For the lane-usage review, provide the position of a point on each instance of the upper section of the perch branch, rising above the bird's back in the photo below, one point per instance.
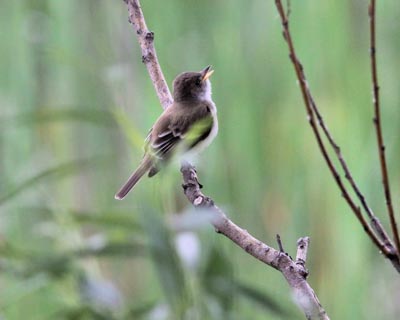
(149, 56)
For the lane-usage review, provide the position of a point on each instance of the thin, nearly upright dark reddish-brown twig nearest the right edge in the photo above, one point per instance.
(378, 128)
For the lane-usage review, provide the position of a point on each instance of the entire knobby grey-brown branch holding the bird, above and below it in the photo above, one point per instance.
(294, 272)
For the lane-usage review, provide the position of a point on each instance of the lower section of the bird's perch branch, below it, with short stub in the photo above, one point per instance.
(294, 272)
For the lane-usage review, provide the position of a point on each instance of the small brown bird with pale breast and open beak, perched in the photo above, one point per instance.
(188, 125)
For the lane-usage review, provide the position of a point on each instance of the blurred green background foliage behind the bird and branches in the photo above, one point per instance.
(76, 103)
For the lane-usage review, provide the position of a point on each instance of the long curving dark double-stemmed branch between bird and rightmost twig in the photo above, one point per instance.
(312, 111)
